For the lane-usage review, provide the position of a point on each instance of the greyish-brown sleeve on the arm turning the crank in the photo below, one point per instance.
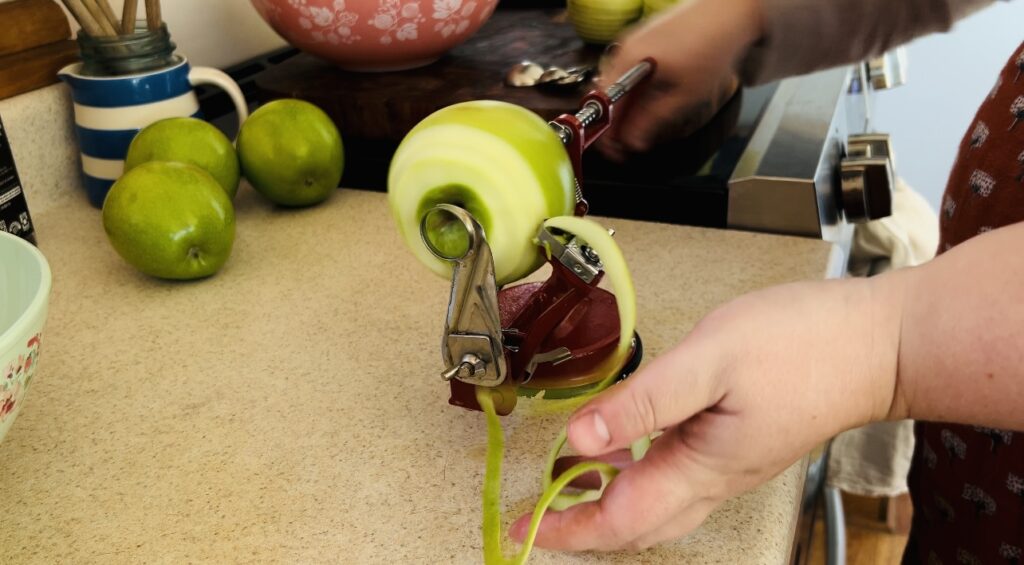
(801, 36)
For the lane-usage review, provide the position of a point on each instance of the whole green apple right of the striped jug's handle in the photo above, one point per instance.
(291, 153)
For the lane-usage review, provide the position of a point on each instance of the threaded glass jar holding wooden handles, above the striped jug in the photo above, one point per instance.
(142, 52)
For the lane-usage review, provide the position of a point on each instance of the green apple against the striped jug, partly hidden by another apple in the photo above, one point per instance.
(188, 141)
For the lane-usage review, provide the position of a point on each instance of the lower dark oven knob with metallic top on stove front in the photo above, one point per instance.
(867, 176)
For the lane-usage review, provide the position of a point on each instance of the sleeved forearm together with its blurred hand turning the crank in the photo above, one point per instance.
(703, 48)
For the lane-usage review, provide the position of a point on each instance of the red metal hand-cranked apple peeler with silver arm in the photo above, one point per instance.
(535, 337)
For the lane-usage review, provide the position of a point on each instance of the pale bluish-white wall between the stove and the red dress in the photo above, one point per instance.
(950, 76)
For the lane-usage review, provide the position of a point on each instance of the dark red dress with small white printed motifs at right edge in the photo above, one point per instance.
(968, 483)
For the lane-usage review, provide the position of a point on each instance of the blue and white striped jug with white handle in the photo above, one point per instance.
(110, 111)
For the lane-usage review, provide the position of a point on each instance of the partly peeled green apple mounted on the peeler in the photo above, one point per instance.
(500, 162)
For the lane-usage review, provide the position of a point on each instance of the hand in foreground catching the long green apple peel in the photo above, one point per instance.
(757, 385)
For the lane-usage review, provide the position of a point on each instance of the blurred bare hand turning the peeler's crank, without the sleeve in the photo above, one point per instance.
(698, 47)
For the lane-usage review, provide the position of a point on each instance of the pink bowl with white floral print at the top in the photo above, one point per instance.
(376, 35)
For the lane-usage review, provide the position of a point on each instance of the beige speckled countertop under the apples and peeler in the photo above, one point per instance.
(288, 410)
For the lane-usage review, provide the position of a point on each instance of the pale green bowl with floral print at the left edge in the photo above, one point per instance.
(25, 294)
